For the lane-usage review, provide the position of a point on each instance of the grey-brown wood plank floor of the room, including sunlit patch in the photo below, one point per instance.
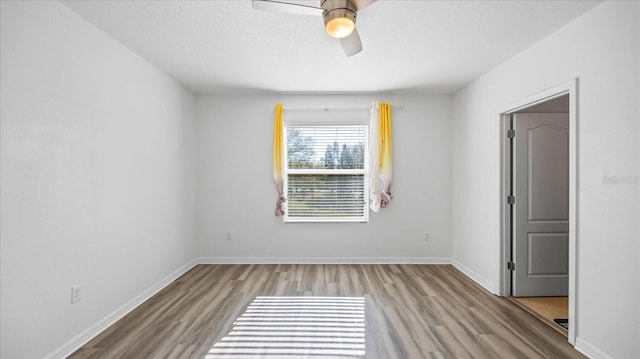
(410, 311)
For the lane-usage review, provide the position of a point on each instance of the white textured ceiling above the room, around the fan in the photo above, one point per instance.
(226, 46)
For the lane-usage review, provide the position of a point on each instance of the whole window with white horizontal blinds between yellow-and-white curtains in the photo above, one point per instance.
(326, 173)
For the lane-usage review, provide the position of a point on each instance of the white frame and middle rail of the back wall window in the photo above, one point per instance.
(364, 171)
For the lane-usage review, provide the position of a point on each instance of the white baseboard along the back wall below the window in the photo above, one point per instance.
(323, 260)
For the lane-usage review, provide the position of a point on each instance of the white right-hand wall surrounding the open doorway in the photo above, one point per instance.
(601, 49)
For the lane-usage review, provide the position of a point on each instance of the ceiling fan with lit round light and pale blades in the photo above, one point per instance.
(339, 17)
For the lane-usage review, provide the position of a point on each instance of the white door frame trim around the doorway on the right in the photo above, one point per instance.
(569, 87)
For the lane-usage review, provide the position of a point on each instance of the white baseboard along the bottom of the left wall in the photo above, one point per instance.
(91, 332)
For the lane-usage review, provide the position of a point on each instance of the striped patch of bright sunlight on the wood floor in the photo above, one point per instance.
(277, 327)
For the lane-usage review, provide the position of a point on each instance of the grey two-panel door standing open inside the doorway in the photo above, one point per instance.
(541, 209)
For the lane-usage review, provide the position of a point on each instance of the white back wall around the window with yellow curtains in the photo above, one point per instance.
(237, 194)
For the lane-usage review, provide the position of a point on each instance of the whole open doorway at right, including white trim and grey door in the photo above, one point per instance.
(538, 161)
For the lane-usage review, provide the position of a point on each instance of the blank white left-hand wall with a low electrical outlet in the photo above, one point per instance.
(98, 176)
